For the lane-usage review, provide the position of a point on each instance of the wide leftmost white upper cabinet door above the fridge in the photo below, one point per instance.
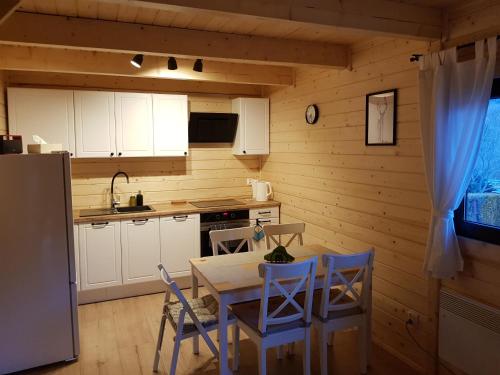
(46, 113)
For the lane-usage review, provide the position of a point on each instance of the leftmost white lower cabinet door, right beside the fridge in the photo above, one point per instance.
(100, 252)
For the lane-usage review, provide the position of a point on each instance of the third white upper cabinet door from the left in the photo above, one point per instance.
(134, 124)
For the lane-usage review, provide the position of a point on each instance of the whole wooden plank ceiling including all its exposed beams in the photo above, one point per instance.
(280, 33)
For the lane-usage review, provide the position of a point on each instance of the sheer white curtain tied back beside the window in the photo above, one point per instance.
(453, 103)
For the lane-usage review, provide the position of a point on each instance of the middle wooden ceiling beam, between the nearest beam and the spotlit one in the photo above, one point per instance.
(111, 36)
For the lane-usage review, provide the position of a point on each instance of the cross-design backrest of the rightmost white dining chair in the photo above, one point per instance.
(346, 270)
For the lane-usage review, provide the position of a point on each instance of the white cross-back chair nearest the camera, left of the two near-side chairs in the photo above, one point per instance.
(276, 321)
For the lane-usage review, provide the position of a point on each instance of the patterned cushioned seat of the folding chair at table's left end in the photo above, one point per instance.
(205, 308)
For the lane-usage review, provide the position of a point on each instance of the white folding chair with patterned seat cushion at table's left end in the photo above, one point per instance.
(189, 318)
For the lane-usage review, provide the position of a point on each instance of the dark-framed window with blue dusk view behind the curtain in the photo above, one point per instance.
(479, 214)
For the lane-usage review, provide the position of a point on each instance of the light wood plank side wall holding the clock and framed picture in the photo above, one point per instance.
(351, 196)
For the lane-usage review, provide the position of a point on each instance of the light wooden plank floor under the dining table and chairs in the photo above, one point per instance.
(119, 337)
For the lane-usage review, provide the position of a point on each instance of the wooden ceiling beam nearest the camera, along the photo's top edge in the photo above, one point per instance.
(382, 16)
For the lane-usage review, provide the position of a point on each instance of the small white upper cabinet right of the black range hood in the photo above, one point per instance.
(252, 135)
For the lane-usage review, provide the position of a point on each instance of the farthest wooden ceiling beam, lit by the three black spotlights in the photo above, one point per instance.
(42, 59)
